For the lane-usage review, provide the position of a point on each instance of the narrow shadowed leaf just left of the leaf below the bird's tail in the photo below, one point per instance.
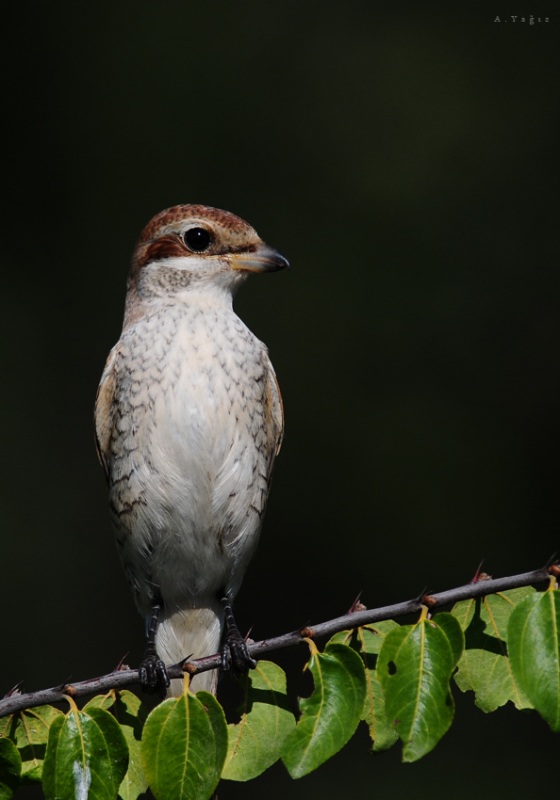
(131, 714)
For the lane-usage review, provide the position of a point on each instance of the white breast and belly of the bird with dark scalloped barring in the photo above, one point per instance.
(190, 452)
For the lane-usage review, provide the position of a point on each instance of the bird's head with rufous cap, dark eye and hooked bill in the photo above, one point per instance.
(196, 247)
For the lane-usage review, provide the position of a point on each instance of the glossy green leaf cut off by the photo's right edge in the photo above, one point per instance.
(534, 649)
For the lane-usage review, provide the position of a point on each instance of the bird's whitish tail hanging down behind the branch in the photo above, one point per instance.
(191, 633)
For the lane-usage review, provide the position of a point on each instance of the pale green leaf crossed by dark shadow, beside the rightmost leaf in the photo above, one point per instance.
(485, 667)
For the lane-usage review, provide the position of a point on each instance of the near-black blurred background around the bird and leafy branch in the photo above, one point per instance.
(405, 160)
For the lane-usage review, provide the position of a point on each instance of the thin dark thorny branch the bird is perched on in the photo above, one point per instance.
(479, 587)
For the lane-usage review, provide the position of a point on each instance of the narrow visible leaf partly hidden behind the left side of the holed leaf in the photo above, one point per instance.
(367, 642)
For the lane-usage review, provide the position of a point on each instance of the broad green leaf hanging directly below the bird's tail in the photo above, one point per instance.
(184, 746)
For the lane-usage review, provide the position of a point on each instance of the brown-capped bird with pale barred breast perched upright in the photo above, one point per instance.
(188, 422)
